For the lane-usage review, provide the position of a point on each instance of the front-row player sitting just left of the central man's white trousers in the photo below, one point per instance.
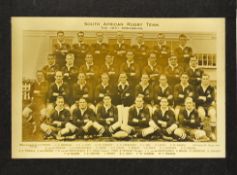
(107, 115)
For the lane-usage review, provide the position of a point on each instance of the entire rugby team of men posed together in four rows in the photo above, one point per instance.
(100, 90)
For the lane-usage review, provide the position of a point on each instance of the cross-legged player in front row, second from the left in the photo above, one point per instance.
(84, 121)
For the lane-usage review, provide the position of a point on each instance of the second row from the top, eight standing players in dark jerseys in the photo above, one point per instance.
(93, 71)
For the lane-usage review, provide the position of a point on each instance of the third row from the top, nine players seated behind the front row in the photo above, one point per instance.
(123, 93)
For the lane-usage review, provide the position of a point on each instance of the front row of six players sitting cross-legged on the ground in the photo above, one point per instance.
(133, 122)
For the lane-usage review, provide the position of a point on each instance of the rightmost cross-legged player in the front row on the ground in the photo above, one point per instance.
(190, 123)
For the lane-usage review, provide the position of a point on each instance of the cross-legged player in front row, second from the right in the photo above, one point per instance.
(163, 122)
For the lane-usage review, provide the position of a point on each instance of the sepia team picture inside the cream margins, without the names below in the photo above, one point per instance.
(118, 85)
